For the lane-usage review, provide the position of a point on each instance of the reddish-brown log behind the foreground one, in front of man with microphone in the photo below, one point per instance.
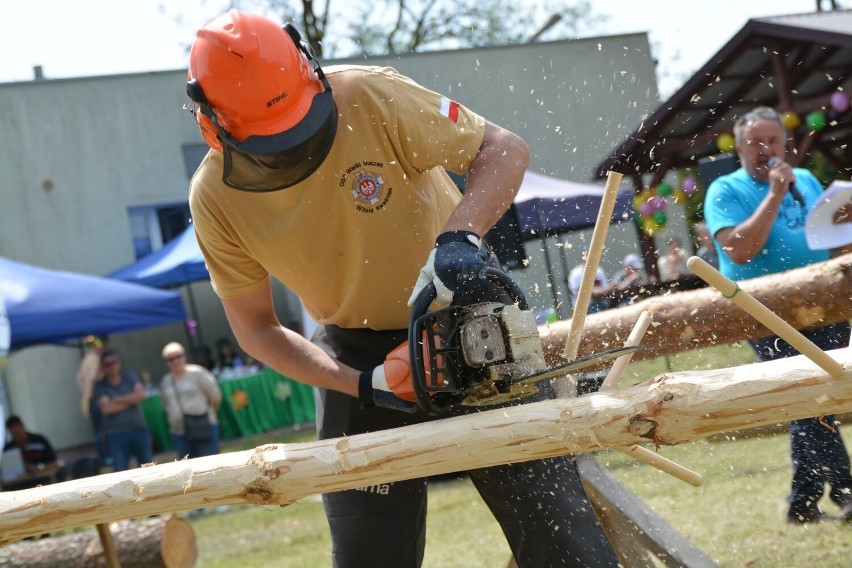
(805, 297)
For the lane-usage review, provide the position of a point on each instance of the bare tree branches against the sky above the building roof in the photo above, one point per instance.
(377, 27)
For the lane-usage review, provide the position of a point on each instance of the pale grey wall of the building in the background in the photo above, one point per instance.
(77, 154)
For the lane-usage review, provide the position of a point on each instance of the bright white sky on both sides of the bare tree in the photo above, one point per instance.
(106, 37)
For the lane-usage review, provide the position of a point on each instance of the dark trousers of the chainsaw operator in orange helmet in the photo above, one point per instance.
(540, 505)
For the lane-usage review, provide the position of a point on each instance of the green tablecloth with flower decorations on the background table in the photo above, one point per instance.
(250, 405)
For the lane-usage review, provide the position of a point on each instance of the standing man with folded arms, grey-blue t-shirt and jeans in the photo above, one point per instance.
(118, 396)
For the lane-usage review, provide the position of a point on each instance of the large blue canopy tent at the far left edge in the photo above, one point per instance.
(51, 306)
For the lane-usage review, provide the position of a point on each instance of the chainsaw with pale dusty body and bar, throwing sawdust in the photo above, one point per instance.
(484, 354)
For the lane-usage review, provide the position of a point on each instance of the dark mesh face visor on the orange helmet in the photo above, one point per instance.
(279, 161)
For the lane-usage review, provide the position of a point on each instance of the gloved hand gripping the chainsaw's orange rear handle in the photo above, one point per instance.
(389, 385)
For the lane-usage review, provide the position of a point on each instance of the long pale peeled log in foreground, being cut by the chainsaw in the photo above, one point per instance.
(672, 408)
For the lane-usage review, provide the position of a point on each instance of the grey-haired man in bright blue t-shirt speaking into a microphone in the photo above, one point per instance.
(757, 218)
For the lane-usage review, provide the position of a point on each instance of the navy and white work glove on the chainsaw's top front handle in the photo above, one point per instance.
(455, 263)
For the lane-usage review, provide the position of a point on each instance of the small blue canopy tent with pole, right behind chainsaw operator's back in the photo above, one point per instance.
(179, 262)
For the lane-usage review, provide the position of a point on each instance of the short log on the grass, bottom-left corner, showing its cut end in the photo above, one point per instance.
(157, 542)
